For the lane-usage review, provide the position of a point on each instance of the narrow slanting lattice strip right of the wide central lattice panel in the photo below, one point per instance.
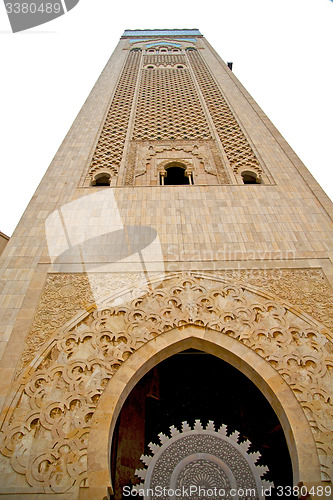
(235, 144)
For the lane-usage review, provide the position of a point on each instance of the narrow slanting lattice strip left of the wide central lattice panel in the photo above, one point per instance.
(110, 146)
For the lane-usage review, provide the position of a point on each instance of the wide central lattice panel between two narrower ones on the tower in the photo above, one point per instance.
(169, 107)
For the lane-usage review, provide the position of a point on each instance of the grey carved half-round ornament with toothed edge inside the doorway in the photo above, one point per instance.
(201, 461)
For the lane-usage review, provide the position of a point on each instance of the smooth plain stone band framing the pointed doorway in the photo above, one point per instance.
(298, 434)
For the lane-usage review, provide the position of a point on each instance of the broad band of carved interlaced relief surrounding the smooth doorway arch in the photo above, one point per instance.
(47, 427)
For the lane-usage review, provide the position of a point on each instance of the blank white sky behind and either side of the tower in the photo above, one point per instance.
(281, 50)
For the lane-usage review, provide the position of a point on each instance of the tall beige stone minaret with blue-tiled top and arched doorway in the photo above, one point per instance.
(167, 295)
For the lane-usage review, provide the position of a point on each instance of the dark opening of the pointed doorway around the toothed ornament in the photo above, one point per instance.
(190, 386)
